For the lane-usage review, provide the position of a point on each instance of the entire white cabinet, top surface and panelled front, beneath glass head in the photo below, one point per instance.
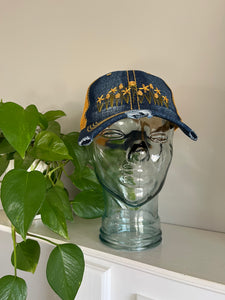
(171, 271)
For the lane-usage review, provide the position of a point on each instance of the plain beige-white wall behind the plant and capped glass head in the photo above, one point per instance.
(50, 51)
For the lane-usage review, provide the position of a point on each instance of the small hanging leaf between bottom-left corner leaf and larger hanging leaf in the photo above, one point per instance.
(27, 255)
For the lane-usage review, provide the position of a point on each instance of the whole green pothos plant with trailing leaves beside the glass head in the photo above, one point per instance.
(40, 153)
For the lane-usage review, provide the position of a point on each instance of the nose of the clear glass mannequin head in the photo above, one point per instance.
(138, 152)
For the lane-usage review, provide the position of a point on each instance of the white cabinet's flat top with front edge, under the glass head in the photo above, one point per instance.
(187, 255)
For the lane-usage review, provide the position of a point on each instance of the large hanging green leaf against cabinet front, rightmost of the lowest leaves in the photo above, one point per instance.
(65, 270)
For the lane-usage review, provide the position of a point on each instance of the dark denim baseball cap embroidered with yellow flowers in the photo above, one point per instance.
(127, 94)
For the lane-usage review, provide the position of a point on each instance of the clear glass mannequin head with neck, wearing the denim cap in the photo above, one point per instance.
(131, 159)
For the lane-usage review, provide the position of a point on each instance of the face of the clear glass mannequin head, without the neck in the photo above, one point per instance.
(132, 157)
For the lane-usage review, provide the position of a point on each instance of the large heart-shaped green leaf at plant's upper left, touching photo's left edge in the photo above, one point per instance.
(18, 125)
